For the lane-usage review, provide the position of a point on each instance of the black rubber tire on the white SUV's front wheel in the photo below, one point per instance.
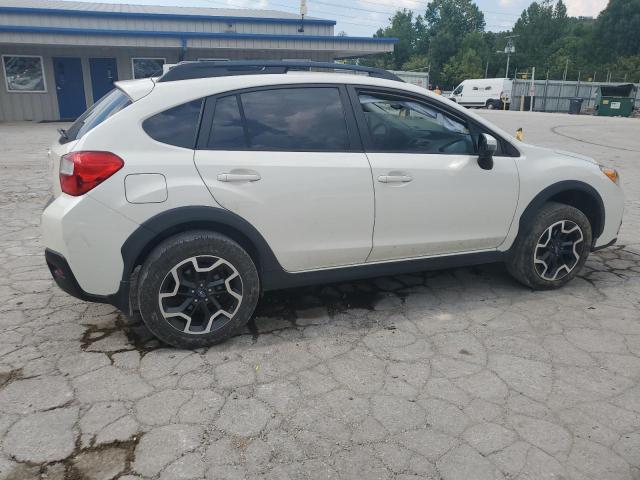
(525, 261)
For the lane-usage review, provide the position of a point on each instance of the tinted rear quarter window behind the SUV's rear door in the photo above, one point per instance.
(177, 126)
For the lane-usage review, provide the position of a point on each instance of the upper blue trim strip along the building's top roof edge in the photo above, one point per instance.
(157, 16)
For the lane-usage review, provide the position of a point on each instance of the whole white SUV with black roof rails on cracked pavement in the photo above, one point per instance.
(186, 196)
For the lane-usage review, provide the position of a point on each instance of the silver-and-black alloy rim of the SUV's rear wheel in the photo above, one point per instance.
(200, 294)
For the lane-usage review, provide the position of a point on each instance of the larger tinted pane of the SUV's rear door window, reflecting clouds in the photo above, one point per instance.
(302, 119)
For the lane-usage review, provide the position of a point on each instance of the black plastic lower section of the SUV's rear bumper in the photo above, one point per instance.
(66, 280)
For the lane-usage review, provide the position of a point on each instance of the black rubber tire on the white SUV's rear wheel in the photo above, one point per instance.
(178, 252)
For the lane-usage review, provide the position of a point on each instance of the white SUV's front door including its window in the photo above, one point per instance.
(431, 196)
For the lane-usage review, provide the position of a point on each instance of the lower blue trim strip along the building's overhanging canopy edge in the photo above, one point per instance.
(184, 35)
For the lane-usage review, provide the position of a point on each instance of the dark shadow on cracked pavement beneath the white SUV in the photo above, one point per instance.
(279, 310)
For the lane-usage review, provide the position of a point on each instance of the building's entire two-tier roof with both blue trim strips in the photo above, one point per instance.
(61, 22)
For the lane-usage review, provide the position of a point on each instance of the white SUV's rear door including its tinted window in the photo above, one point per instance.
(289, 161)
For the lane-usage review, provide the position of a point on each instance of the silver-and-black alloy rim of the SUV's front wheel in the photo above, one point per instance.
(556, 253)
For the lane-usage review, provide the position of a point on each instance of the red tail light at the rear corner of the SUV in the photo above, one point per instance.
(83, 171)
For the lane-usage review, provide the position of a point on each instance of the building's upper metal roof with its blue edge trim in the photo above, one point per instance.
(86, 8)
